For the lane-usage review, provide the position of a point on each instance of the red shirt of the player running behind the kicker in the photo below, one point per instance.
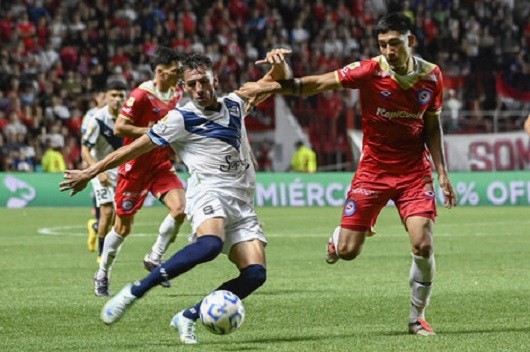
(144, 107)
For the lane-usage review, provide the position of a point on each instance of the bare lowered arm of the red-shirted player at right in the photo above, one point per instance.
(433, 140)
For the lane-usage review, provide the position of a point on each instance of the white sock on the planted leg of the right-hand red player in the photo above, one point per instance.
(421, 277)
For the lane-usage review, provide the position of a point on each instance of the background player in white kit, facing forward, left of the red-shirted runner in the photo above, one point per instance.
(97, 142)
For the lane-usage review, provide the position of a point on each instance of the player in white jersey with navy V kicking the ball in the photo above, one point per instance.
(208, 135)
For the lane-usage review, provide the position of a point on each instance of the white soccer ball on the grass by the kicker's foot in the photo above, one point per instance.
(222, 312)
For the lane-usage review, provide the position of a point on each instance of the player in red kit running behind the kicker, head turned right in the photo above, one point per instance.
(151, 172)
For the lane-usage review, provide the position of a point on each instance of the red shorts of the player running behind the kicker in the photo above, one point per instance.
(132, 190)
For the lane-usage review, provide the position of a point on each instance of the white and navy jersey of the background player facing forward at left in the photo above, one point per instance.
(99, 135)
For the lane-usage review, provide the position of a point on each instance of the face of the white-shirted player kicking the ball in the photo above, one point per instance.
(200, 84)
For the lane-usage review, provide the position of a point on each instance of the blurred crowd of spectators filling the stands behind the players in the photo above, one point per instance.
(55, 54)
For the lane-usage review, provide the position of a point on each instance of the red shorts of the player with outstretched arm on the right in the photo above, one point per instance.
(412, 194)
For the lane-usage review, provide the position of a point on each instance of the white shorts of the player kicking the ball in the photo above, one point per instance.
(241, 219)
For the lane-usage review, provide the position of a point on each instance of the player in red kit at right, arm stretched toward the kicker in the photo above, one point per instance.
(401, 99)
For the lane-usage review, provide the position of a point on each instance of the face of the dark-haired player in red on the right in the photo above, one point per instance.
(396, 48)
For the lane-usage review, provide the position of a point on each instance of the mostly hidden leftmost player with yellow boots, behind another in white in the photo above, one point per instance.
(92, 224)
